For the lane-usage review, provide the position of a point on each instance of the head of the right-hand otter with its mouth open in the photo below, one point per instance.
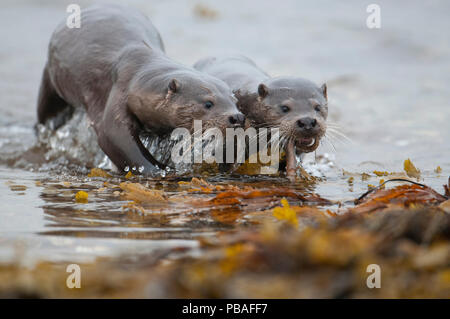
(296, 106)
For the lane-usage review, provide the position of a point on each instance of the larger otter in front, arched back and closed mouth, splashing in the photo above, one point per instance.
(115, 67)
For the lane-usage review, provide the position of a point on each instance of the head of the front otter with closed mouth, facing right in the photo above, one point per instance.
(165, 104)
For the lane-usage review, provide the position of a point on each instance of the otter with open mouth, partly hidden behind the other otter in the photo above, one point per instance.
(295, 105)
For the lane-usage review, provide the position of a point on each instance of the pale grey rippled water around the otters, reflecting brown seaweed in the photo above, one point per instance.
(388, 91)
